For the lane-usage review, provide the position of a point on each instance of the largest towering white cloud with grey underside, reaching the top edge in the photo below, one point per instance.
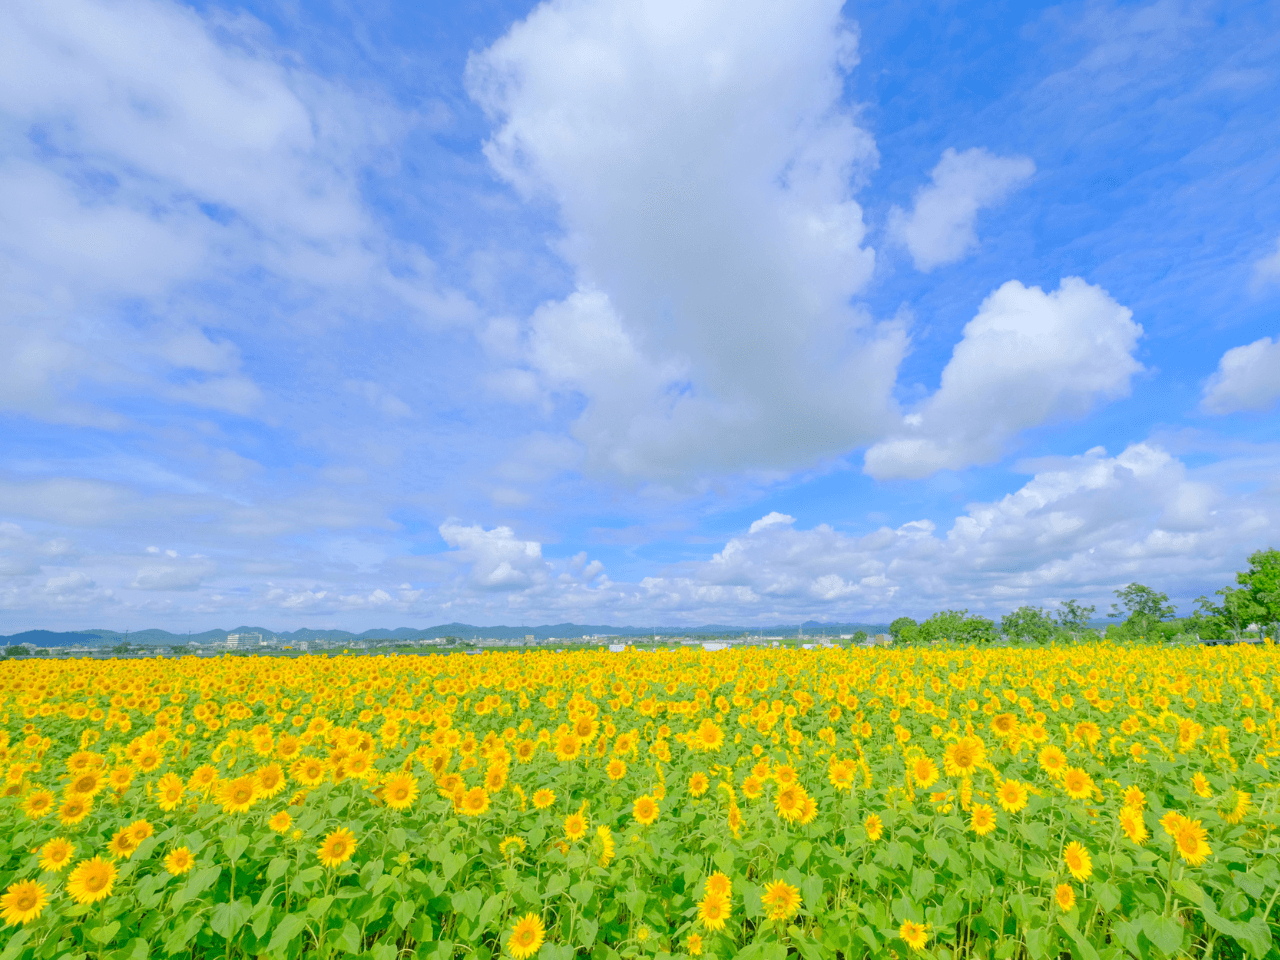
(705, 171)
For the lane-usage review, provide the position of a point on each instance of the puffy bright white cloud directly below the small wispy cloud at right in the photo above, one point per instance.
(1027, 359)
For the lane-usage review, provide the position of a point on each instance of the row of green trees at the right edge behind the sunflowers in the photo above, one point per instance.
(1140, 614)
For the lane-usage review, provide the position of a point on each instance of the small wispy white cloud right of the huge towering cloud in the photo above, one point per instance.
(941, 227)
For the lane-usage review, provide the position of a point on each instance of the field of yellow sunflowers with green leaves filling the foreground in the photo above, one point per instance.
(945, 802)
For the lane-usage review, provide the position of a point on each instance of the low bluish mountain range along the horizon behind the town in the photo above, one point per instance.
(464, 632)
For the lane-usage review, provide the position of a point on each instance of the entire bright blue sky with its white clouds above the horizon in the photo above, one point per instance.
(632, 313)
